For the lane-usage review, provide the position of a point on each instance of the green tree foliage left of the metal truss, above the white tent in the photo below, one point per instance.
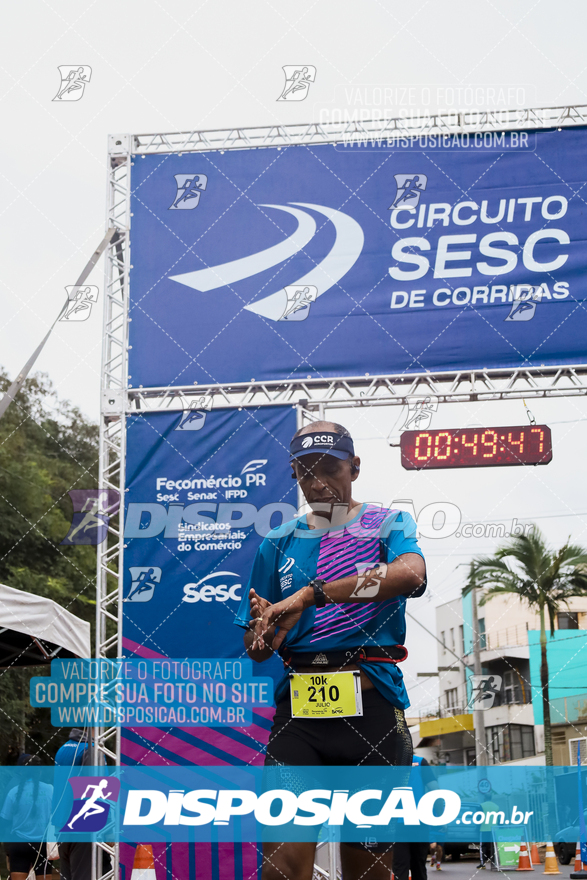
(47, 447)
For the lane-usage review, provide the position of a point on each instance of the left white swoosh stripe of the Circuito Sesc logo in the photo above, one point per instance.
(236, 270)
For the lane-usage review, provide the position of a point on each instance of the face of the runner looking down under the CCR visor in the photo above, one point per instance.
(324, 478)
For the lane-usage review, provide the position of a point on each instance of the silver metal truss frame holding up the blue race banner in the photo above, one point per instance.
(311, 397)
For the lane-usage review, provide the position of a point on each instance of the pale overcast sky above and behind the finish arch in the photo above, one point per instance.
(183, 65)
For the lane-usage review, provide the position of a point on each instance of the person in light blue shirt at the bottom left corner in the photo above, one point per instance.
(28, 808)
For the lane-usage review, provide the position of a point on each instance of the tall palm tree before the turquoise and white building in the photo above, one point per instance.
(545, 578)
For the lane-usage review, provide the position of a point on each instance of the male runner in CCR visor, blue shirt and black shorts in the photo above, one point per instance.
(328, 591)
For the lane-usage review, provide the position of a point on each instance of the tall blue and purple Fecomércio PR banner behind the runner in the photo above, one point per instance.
(203, 490)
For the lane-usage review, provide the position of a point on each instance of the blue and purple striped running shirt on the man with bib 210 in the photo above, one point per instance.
(293, 554)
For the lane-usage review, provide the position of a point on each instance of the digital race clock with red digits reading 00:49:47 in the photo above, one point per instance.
(476, 447)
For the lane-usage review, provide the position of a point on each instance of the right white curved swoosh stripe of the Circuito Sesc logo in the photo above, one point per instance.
(342, 257)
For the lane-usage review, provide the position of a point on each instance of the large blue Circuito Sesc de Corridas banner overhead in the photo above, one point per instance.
(432, 253)
